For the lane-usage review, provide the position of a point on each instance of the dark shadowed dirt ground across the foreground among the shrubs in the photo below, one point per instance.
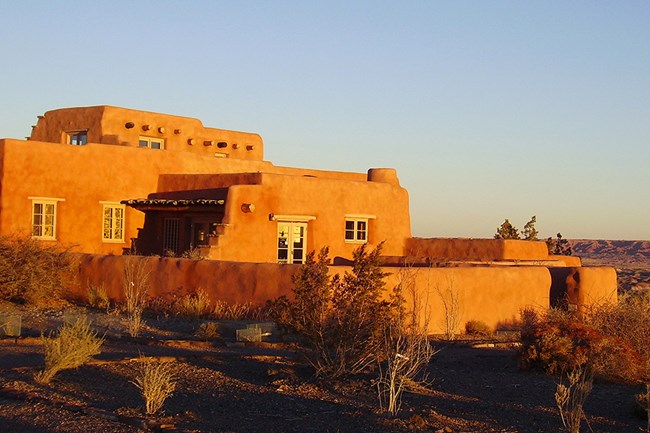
(223, 386)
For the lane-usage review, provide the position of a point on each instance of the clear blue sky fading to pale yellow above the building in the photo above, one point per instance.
(487, 109)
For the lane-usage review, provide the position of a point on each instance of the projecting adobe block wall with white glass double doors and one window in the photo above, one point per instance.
(253, 236)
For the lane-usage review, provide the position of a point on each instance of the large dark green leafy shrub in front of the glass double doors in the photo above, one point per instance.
(341, 320)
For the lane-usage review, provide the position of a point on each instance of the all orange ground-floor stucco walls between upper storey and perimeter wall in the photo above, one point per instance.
(85, 176)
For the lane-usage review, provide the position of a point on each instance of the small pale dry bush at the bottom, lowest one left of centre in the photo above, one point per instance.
(156, 383)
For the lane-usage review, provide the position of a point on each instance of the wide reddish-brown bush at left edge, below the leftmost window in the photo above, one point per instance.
(32, 271)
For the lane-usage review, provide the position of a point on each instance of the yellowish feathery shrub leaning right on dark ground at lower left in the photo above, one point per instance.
(74, 345)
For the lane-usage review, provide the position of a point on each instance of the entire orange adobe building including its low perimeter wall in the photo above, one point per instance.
(106, 180)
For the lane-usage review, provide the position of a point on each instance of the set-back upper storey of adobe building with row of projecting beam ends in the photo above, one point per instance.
(122, 126)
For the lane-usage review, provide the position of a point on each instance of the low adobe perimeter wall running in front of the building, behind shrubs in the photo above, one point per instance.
(493, 294)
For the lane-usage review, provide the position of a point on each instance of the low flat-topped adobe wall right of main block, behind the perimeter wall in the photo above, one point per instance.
(446, 249)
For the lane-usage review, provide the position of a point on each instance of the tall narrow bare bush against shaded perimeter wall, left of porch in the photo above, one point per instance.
(136, 279)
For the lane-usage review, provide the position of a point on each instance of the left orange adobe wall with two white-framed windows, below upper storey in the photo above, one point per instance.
(86, 175)
